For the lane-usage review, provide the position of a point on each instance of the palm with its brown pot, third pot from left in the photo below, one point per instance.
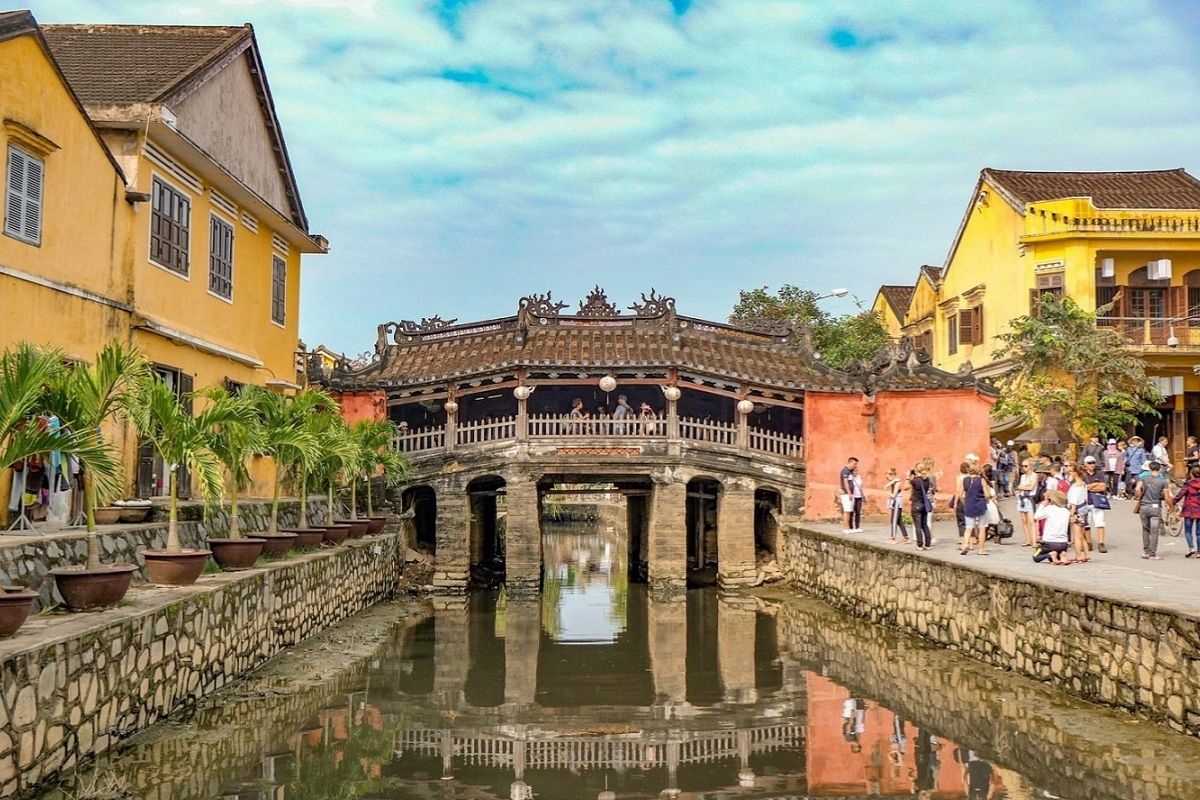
(179, 440)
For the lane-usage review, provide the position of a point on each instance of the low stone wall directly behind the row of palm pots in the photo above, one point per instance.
(28, 561)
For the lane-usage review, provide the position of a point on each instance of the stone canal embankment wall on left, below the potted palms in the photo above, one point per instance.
(73, 691)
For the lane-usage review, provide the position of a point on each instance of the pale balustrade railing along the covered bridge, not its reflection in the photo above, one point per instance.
(544, 429)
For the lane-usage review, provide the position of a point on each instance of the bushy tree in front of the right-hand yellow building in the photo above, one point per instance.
(1063, 360)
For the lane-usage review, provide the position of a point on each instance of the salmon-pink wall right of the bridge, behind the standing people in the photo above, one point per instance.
(898, 430)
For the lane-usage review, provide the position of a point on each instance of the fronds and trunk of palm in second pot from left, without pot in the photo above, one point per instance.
(88, 396)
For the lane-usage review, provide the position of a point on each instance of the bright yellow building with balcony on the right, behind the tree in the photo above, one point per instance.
(1132, 238)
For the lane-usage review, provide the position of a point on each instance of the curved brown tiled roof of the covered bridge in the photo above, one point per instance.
(719, 352)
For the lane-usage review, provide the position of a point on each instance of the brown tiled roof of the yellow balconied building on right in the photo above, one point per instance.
(1165, 189)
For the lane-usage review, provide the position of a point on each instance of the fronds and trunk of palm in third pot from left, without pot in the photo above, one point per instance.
(181, 440)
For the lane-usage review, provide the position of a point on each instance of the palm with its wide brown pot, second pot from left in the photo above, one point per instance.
(86, 399)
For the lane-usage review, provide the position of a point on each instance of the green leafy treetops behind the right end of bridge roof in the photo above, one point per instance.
(841, 341)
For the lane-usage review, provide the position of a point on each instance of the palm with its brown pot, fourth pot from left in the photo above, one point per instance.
(233, 443)
